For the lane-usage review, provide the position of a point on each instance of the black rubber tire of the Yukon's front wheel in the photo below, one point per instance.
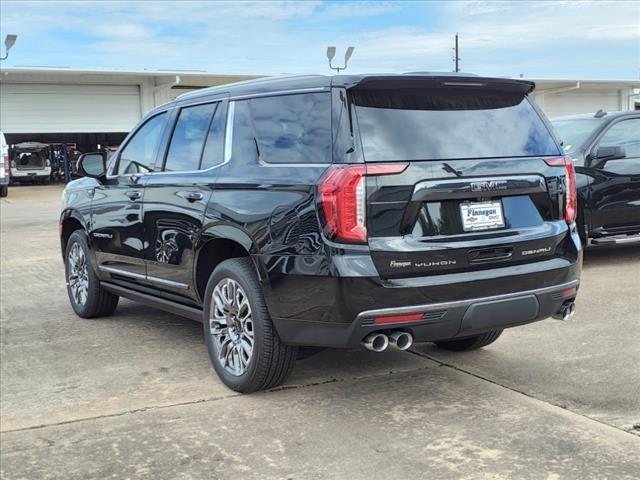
(98, 302)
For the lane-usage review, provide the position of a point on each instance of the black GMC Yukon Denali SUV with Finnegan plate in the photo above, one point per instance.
(331, 212)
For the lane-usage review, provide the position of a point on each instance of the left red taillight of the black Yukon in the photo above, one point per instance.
(343, 199)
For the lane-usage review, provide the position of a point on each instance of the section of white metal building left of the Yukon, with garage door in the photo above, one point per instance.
(87, 107)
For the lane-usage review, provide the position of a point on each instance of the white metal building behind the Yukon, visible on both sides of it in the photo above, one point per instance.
(91, 107)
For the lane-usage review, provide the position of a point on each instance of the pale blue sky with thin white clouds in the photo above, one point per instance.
(539, 39)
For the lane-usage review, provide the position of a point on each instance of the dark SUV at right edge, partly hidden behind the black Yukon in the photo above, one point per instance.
(606, 151)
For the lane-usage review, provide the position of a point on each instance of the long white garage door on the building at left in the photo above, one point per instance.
(45, 108)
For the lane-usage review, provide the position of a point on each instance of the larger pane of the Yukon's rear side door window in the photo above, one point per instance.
(188, 137)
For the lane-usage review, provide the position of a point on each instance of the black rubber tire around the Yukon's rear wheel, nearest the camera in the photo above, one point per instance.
(270, 360)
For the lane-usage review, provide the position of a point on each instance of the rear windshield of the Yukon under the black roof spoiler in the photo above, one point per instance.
(449, 124)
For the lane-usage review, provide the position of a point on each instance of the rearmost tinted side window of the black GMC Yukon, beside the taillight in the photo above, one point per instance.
(293, 128)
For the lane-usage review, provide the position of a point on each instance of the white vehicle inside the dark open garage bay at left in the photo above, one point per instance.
(31, 162)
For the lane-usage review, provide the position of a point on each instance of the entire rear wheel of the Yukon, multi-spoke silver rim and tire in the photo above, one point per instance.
(244, 347)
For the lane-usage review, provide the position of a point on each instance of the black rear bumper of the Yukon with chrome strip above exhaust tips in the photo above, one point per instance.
(313, 301)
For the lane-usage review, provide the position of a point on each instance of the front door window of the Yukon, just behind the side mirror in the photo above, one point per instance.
(140, 153)
